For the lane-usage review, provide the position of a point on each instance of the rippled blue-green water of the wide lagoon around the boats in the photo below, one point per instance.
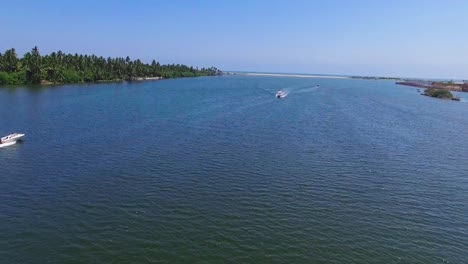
(216, 170)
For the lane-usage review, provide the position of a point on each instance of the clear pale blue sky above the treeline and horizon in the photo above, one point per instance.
(427, 39)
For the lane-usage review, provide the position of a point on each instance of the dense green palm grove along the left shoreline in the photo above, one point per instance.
(59, 67)
